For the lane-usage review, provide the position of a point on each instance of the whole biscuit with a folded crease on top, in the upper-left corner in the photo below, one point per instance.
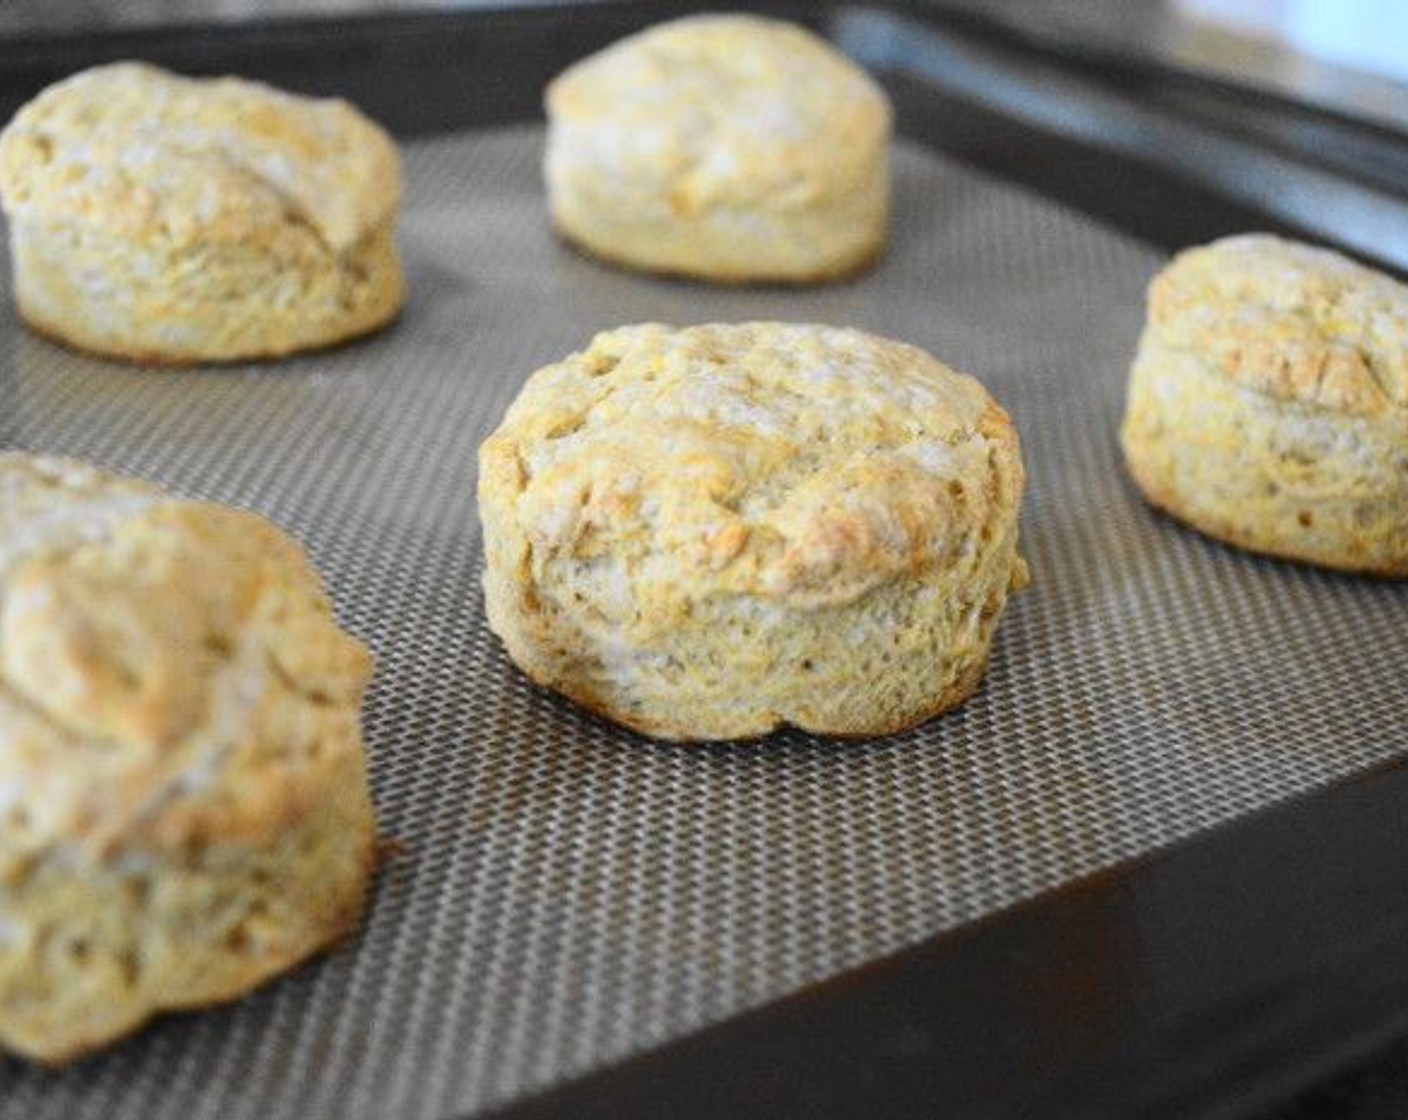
(170, 220)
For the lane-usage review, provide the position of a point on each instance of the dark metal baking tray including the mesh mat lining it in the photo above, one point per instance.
(1189, 898)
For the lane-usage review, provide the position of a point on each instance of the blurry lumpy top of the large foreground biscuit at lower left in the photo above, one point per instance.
(170, 671)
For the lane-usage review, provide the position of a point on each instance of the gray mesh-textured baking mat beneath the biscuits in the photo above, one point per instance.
(568, 894)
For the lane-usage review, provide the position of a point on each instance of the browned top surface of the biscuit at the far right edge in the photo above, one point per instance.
(1292, 322)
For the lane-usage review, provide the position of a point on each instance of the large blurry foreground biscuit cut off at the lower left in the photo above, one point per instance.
(184, 797)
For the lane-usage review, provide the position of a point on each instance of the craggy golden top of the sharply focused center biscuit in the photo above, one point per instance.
(799, 464)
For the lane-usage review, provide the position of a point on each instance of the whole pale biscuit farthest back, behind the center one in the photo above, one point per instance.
(727, 149)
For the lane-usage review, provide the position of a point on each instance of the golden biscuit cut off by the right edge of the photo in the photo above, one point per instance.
(1269, 404)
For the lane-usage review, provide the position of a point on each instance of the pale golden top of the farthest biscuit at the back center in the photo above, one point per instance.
(729, 109)
